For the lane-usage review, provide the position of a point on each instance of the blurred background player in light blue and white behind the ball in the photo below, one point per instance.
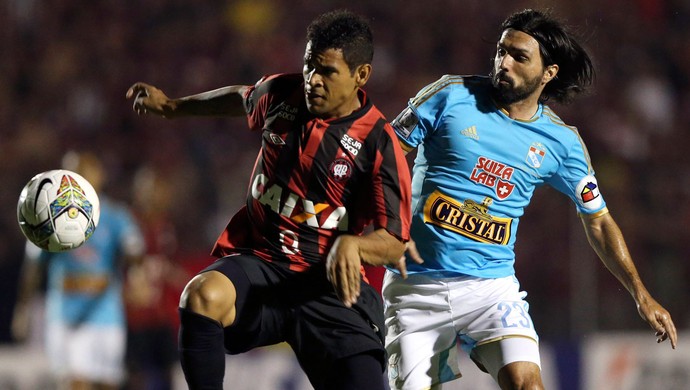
(85, 319)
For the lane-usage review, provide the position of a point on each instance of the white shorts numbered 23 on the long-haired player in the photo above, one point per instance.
(427, 317)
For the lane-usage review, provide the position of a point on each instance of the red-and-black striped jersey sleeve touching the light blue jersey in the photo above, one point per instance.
(392, 187)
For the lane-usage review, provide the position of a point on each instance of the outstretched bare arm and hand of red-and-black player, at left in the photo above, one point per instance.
(226, 101)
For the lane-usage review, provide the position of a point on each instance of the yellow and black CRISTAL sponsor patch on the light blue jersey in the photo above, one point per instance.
(471, 219)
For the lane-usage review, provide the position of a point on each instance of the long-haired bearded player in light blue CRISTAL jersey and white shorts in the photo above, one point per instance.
(484, 144)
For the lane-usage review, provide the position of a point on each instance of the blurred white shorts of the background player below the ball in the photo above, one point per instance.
(88, 352)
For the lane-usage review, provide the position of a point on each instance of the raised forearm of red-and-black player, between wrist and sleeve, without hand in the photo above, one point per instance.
(219, 102)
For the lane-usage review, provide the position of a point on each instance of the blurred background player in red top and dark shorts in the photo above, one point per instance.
(153, 287)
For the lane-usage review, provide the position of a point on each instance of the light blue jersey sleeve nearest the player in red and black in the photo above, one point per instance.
(424, 111)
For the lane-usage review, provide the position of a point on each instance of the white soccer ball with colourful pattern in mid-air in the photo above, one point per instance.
(58, 210)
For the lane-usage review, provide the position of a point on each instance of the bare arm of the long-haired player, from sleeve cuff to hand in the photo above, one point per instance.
(607, 240)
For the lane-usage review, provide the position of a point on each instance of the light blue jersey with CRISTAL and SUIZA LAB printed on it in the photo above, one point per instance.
(476, 170)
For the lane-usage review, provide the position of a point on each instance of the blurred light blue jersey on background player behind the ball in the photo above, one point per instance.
(84, 285)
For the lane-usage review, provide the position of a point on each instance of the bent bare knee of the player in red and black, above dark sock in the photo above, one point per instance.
(210, 294)
